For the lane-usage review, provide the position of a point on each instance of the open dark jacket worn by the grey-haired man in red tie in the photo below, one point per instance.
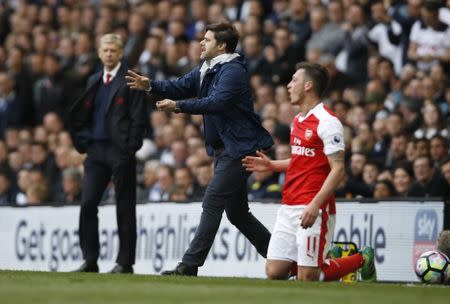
(125, 117)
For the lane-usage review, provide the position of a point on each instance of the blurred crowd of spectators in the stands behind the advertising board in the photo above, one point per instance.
(388, 63)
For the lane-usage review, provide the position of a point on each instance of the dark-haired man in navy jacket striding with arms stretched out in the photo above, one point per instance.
(220, 86)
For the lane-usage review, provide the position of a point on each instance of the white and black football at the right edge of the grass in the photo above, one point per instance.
(433, 267)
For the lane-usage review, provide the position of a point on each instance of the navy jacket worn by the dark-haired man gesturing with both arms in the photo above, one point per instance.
(225, 100)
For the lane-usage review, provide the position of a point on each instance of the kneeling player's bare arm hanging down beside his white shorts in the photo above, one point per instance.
(337, 165)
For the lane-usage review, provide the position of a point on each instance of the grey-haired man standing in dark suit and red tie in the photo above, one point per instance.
(108, 123)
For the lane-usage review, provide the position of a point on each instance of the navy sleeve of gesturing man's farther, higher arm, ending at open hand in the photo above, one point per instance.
(181, 88)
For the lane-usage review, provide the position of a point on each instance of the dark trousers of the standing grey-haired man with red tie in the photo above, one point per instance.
(103, 161)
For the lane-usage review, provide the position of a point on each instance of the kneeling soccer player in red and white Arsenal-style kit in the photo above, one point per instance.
(305, 221)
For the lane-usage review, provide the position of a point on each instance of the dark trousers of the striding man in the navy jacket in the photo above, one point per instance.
(227, 191)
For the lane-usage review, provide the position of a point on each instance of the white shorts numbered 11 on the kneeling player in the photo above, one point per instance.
(290, 242)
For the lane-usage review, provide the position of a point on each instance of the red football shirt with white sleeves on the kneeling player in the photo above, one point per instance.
(314, 136)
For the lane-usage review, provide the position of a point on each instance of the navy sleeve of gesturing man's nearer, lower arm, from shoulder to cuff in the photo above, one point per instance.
(224, 94)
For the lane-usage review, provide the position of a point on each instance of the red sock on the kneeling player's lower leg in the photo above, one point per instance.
(341, 266)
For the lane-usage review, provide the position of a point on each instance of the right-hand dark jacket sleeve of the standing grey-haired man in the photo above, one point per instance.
(138, 112)
